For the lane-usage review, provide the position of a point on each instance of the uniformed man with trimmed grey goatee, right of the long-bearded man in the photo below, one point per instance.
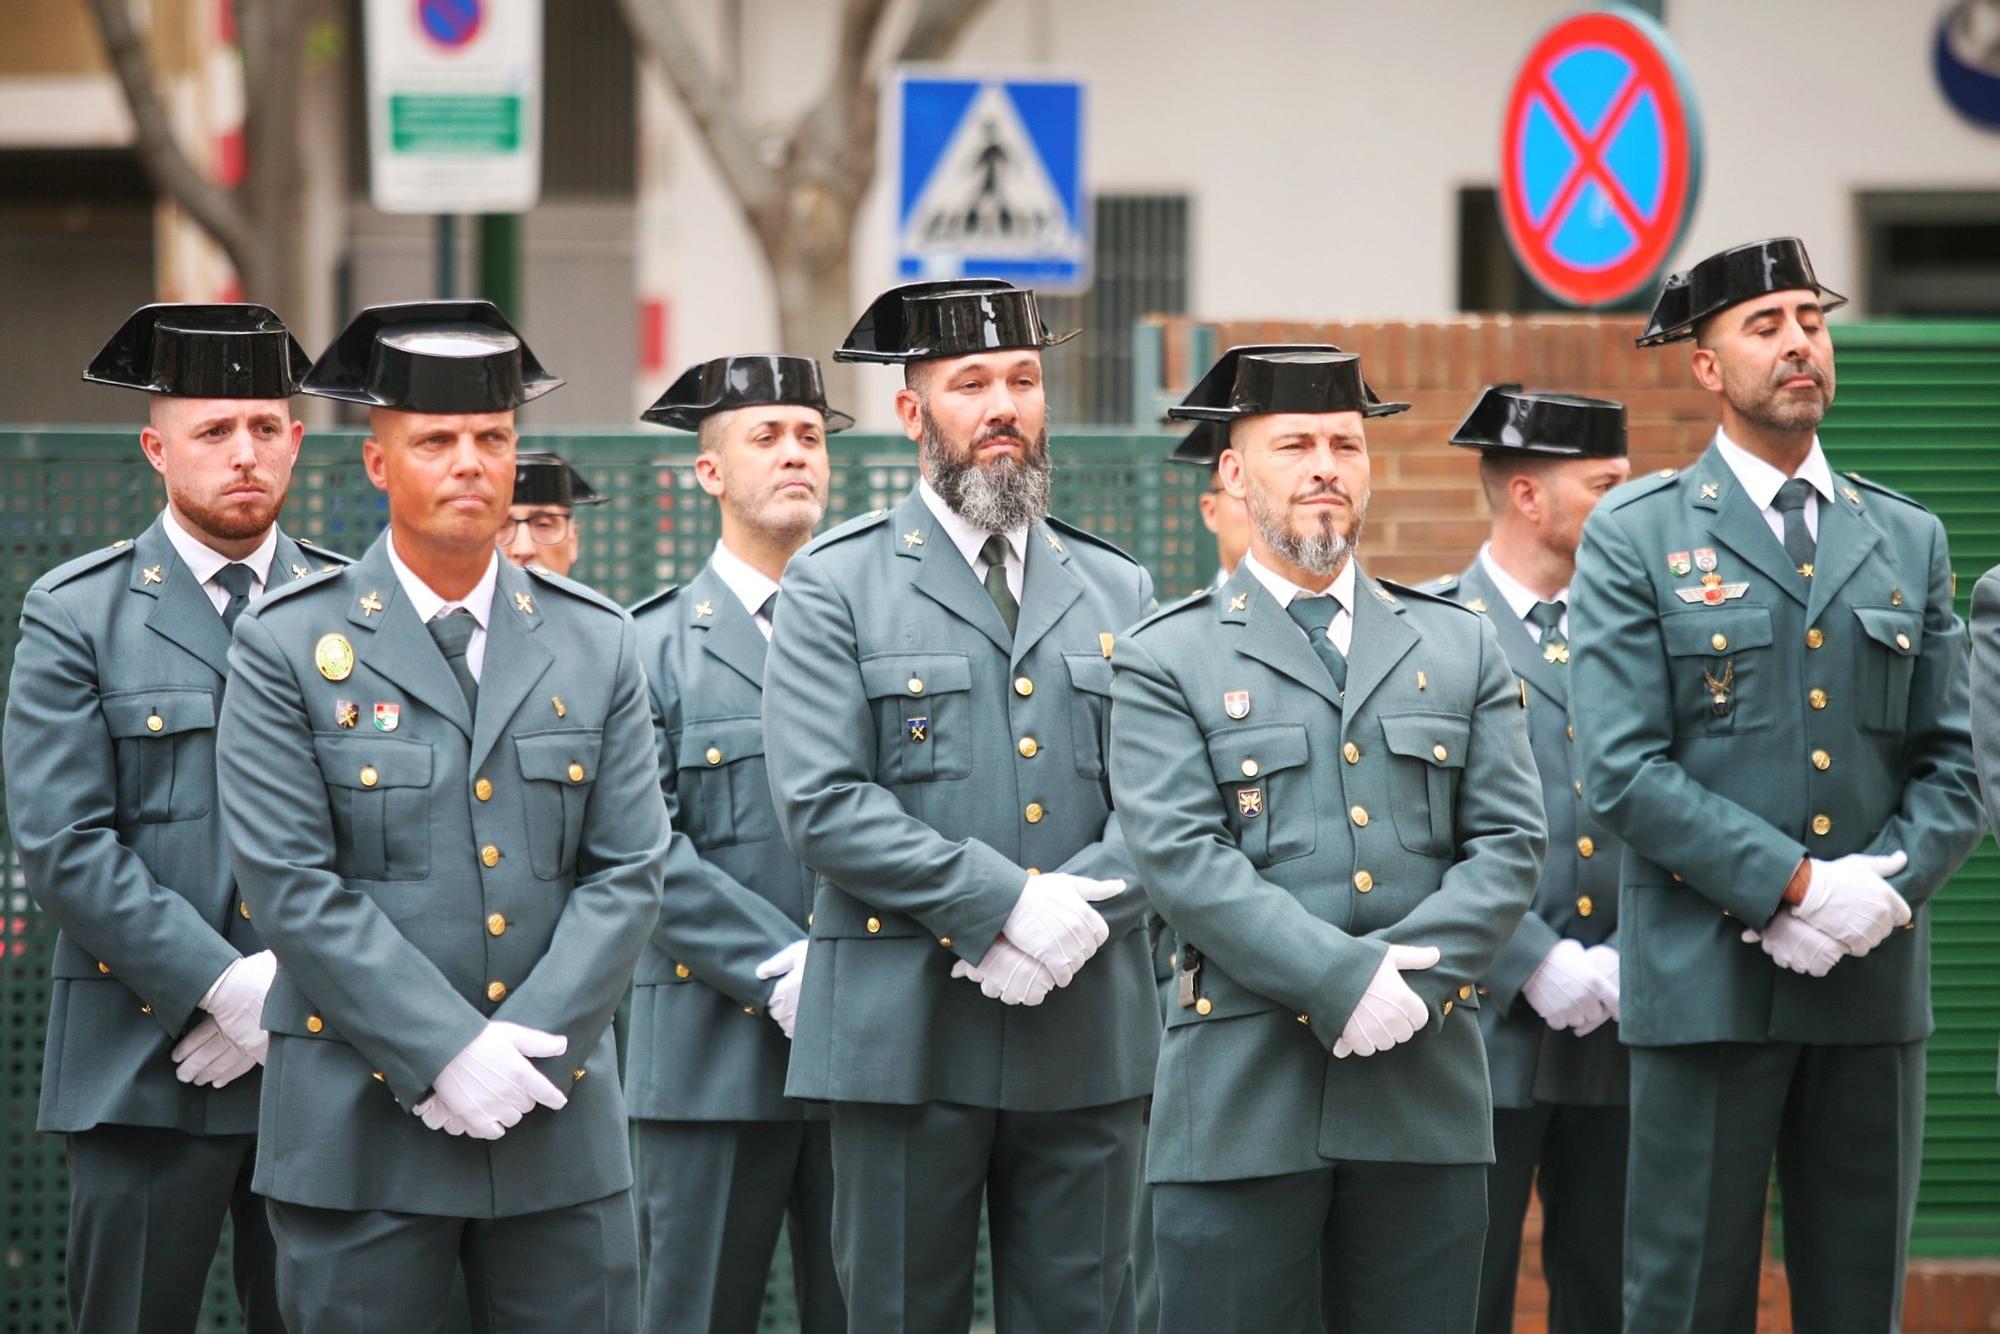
(1329, 795)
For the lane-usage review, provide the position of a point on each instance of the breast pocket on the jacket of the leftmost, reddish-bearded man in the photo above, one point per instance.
(167, 753)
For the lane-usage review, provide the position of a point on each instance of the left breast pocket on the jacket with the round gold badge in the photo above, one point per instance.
(381, 797)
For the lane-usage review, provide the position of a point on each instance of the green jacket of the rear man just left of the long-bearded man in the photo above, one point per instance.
(703, 1047)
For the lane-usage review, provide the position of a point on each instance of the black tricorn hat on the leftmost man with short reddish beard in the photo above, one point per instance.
(233, 351)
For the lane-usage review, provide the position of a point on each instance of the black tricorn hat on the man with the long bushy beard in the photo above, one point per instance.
(961, 317)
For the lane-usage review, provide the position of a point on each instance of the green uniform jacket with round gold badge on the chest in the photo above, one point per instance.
(425, 879)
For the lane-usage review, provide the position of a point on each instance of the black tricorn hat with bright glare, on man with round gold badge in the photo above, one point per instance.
(431, 357)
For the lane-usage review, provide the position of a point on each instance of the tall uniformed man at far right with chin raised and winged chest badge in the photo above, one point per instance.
(1769, 689)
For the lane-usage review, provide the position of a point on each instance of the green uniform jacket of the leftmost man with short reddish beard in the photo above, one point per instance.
(111, 777)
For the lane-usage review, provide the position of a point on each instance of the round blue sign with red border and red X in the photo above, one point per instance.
(1601, 157)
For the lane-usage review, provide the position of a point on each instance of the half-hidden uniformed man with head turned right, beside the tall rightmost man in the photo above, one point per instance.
(1551, 1003)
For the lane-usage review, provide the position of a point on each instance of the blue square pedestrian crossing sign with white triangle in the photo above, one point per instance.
(991, 181)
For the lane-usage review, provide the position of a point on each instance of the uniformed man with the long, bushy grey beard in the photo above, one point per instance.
(979, 999)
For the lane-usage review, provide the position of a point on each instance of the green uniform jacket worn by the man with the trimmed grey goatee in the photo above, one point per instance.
(1293, 841)
